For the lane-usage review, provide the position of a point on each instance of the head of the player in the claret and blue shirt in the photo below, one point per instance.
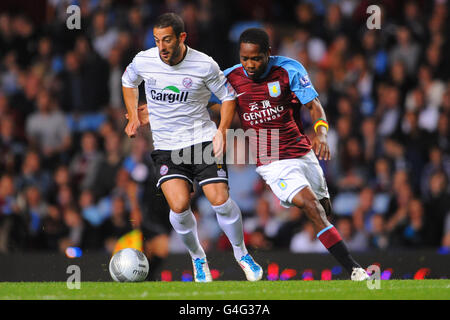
(254, 51)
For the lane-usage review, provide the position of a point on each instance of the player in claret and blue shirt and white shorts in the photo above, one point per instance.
(270, 91)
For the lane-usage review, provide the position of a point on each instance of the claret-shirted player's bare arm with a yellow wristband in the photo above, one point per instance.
(319, 120)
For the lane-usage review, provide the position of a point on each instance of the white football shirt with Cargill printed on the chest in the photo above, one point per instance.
(177, 96)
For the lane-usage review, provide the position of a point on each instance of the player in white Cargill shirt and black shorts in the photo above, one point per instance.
(178, 84)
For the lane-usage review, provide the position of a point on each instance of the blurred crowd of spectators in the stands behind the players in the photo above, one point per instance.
(69, 176)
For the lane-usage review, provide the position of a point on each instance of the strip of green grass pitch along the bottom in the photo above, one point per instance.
(229, 290)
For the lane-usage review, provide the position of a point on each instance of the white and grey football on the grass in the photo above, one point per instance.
(128, 265)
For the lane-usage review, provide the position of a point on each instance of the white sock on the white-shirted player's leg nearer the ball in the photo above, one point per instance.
(185, 225)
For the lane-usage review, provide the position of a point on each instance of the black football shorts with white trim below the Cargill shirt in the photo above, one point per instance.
(193, 163)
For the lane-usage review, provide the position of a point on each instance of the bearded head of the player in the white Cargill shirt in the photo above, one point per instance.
(169, 37)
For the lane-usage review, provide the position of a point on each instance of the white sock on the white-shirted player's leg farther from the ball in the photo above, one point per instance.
(230, 220)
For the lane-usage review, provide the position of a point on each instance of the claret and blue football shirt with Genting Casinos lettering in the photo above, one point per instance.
(271, 106)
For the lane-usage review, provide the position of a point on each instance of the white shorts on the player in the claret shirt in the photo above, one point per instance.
(287, 177)
